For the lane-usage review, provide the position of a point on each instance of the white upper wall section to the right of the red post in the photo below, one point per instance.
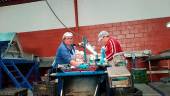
(93, 12)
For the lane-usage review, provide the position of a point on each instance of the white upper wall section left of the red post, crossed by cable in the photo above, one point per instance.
(36, 16)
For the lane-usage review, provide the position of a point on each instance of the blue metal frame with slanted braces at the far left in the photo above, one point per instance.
(5, 45)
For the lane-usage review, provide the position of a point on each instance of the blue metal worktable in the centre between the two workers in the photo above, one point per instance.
(82, 83)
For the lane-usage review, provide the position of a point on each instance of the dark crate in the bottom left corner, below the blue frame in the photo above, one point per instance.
(14, 92)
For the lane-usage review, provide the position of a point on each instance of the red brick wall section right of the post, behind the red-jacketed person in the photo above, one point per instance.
(136, 35)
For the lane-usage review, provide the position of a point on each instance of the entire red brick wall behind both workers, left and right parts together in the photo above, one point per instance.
(134, 35)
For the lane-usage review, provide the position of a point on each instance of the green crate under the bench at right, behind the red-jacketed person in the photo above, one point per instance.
(139, 75)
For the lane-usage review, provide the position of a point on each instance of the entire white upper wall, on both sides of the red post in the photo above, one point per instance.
(37, 16)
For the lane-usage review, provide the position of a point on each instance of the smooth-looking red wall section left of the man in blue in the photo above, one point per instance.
(42, 43)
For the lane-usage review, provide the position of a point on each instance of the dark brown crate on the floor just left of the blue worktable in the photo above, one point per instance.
(44, 88)
